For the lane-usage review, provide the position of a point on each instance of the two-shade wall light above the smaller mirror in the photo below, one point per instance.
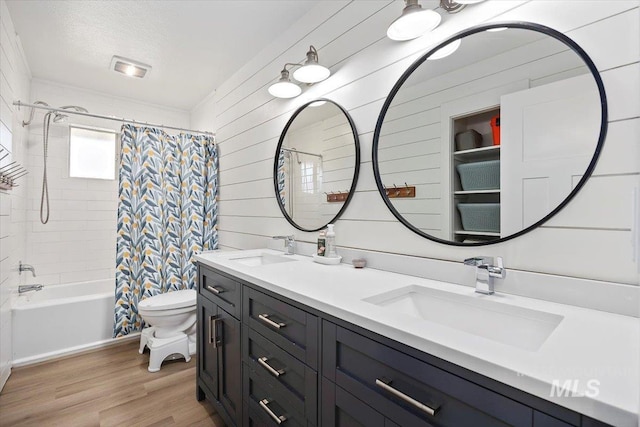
(310, 72)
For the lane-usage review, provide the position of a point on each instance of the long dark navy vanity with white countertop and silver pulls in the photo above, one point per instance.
(283, 340)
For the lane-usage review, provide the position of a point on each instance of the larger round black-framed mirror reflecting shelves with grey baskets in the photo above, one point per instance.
(489, 134)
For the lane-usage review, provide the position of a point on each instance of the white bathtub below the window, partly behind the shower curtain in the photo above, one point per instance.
(62, 319)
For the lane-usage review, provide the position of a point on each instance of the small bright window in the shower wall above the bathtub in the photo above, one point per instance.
(92, 153)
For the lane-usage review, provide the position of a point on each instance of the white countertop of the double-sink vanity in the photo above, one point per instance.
(598, 352)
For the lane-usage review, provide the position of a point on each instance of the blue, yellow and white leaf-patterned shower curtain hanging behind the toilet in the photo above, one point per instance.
(167, 210)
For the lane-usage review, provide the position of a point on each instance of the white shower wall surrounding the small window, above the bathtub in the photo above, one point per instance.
(78, 244)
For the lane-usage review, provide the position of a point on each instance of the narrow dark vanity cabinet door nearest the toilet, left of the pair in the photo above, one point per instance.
(207, 347)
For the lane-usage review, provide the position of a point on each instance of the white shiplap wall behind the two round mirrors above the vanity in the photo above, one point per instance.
(588, 239)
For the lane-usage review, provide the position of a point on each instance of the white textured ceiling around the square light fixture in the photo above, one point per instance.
(193, 46)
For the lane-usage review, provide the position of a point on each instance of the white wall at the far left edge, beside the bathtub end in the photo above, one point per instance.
(14, 83)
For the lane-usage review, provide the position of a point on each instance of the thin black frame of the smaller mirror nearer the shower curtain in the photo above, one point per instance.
(356, 171)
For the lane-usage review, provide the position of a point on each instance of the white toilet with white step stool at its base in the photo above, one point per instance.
(172, 317)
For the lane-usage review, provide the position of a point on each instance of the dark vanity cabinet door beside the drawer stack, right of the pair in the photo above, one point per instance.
(229, 365)
